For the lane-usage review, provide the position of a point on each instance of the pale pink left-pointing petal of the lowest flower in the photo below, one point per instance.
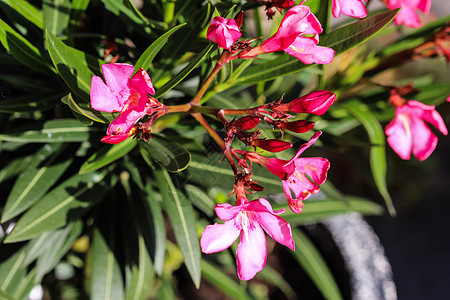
(218, 237)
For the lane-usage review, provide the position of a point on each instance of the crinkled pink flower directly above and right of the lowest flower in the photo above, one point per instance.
(300, 176)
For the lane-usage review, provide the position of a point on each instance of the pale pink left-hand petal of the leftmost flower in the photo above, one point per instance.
(102, 98)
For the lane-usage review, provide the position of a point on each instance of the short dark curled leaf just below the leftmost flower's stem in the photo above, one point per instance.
(169, 155)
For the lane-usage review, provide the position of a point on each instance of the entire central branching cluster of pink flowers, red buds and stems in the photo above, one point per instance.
(128, 93)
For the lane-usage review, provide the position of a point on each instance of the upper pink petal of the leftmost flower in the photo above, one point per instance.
(117, 76)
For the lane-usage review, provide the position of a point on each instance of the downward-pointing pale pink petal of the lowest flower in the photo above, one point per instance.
(251, 252)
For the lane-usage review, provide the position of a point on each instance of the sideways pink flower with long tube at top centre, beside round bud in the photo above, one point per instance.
(297, 22)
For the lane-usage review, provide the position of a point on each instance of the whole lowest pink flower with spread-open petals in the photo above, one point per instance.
(246, 219)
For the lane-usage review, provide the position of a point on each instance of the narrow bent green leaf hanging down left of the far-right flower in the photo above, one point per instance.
(377, 150)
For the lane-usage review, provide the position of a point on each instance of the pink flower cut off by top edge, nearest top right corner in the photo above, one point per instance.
(407, 14)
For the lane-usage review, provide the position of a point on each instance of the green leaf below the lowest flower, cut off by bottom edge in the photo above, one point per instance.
(218, 278)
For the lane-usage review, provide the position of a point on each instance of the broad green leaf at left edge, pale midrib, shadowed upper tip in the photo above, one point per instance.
(49, 163)
